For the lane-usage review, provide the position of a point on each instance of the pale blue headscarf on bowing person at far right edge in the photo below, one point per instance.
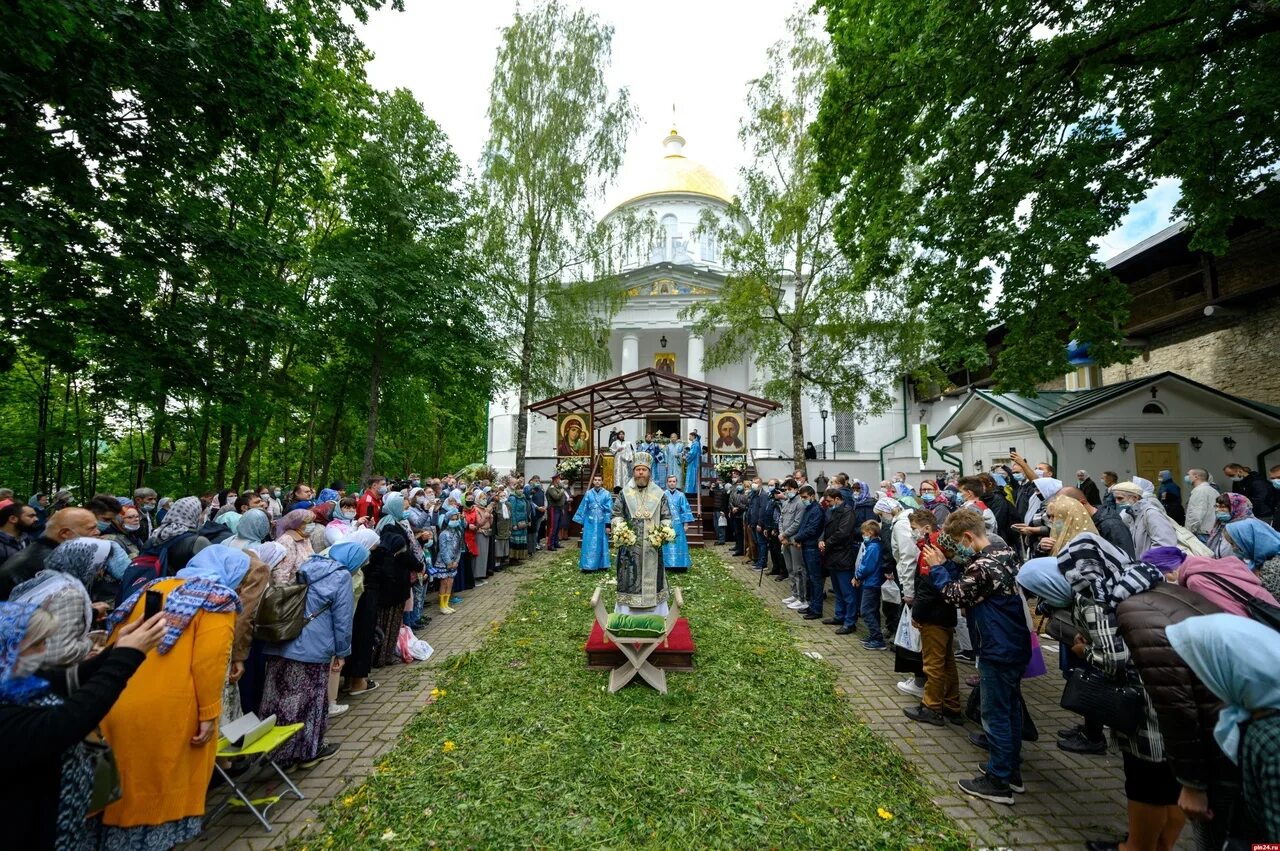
(1236, 658)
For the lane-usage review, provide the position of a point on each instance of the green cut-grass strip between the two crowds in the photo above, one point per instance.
(528, 749)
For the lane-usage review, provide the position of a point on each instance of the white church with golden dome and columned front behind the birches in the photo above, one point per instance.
(682, 267)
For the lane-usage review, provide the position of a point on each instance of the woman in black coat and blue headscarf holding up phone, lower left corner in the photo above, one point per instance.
(48, 781)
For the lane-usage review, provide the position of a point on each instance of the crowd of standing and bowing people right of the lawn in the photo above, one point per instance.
(1165, 612)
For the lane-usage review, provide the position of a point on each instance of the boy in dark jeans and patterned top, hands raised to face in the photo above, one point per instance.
(980, 575)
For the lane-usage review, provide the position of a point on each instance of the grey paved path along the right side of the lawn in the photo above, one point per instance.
(1069, 798)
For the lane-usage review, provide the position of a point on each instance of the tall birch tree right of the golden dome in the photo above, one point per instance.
(793, 301)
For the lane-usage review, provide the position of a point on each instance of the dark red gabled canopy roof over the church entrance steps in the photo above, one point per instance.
(647, 392)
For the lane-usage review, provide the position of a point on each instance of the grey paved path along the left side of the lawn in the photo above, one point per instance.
(369, 730)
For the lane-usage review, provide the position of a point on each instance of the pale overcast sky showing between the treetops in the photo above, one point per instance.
(698, 57)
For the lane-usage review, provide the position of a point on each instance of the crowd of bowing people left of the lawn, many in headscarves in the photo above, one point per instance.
(148, 623)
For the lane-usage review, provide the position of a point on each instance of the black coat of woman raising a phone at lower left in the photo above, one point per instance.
(34, 739)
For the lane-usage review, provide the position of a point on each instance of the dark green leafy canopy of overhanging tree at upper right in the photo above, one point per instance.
(991, 145)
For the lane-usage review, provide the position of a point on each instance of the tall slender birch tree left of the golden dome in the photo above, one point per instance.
(556, 139)
